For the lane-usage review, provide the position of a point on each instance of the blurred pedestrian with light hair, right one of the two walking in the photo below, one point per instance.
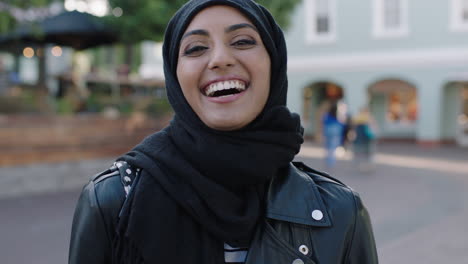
(364, 140)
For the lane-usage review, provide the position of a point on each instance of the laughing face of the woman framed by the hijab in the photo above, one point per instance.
(224, 68)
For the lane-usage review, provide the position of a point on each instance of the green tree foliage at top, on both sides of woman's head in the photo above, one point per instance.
(147, 19)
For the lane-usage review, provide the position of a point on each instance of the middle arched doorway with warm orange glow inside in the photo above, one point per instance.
(394, 106)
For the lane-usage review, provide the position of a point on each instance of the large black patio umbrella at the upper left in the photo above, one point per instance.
(73, 29)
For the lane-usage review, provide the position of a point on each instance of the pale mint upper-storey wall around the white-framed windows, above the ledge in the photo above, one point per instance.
(428, 28)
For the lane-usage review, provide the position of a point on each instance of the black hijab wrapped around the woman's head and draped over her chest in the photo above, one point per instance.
(201, 187)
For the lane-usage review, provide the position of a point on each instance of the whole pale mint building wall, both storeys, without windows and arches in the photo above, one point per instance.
(428, 29)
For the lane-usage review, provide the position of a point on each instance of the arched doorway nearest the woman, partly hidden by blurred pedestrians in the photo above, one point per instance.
(316, 99)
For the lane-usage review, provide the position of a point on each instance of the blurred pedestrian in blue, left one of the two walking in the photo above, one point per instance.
(333, 134)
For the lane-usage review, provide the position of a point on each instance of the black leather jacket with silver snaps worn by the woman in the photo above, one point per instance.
(311, 219)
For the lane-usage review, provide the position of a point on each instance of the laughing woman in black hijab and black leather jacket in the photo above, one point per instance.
(217, 185)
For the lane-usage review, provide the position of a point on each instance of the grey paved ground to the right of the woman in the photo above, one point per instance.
(417, 198)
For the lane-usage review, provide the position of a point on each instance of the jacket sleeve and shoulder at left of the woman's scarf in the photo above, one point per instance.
(95, 218)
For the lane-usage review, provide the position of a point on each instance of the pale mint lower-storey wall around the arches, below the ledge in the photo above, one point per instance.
(429, 82)
